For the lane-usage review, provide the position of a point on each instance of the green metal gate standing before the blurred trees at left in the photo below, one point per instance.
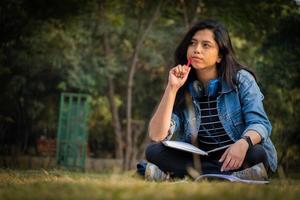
(72, 134)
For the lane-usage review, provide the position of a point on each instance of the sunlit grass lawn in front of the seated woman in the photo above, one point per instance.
(55, 184)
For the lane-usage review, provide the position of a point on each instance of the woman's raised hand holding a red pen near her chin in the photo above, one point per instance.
(178, 75)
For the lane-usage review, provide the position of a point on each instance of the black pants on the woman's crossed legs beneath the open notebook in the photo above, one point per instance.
(176, 161)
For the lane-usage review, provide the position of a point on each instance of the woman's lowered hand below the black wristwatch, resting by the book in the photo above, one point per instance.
(234, 156)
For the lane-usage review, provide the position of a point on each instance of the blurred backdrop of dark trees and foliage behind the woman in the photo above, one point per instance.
(117, 53)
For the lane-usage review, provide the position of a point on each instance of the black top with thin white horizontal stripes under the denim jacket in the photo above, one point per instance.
(211, 132)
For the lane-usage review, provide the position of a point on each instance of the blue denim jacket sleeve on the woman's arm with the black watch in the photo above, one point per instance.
(252, 106)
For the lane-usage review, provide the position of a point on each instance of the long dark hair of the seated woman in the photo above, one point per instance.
(227, 68)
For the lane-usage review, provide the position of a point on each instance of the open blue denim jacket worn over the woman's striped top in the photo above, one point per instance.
(240, 109)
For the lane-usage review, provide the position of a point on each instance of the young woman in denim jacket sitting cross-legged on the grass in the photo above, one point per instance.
(215, 102)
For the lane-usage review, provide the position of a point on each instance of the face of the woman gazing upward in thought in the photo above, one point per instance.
(203, 50)
